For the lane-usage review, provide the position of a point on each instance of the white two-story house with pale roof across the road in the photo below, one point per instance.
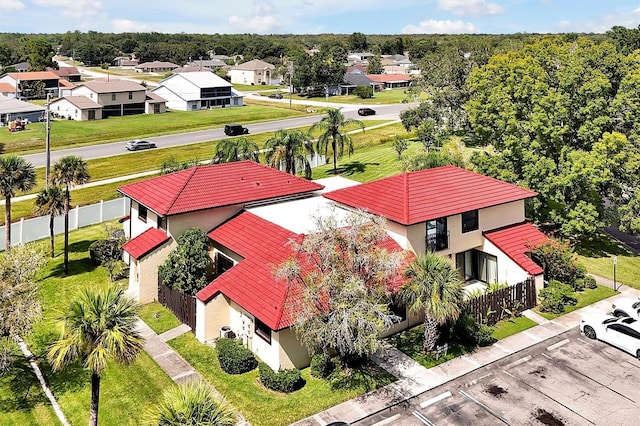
(189, 91)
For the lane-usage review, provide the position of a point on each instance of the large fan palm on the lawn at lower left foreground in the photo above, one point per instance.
(98, 327)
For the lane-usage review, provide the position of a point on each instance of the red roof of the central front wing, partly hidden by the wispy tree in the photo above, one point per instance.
(251, 282)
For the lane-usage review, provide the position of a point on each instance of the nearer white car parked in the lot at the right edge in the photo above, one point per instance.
(623, 332)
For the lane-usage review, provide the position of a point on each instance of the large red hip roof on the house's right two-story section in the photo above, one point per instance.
(415, 197)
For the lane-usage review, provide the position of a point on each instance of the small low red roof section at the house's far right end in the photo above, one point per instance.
(516, 241)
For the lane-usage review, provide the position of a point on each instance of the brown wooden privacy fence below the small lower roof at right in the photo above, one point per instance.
(491, 307)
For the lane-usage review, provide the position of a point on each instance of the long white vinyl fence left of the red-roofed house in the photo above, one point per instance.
(26, 231)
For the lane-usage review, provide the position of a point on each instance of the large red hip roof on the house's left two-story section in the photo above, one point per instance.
(205, 187)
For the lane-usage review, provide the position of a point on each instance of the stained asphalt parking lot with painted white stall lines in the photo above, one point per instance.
(565, 380)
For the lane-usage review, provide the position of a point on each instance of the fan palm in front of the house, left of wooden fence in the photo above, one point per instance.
(435, 289)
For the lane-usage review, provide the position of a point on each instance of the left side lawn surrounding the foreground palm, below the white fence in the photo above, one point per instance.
(125, 391)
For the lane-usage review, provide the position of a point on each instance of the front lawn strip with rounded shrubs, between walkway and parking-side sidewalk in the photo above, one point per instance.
(261, 406)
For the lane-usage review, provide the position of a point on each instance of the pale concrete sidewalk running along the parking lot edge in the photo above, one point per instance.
(414, 379)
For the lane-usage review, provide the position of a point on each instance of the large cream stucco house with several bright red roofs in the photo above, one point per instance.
(251, 211)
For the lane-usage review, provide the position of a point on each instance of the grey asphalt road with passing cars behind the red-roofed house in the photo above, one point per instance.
(389, 112)
